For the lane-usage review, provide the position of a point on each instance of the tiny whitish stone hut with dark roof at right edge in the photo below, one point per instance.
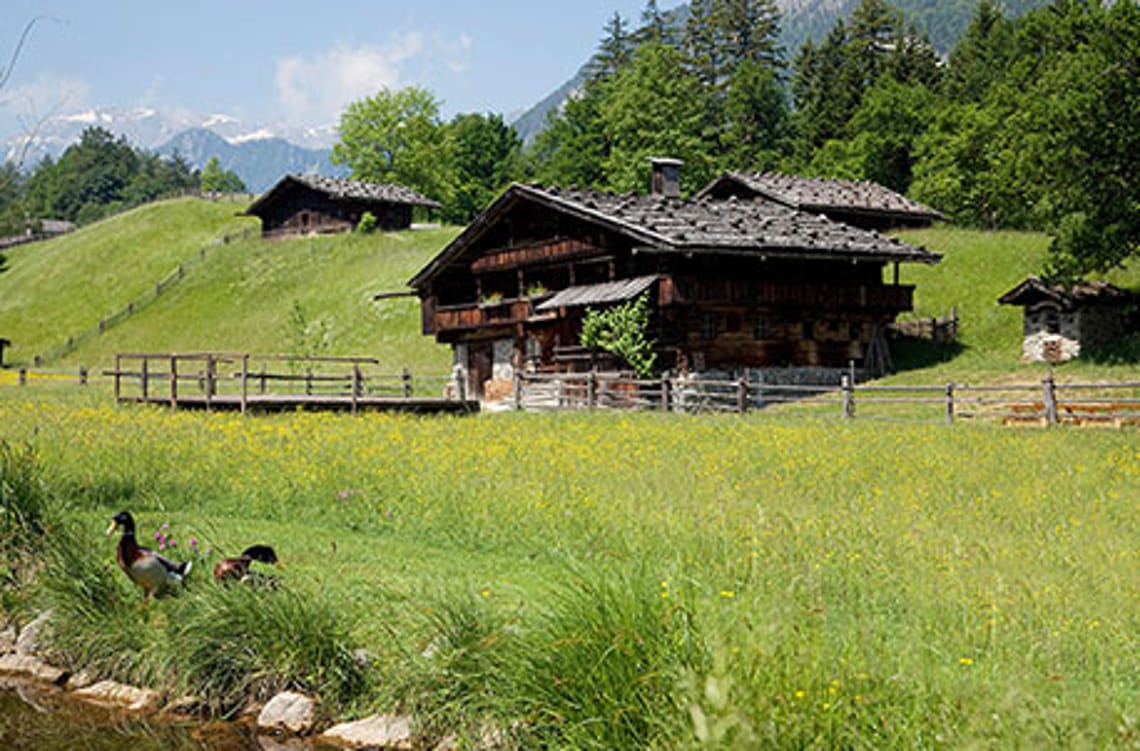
(1060, 321)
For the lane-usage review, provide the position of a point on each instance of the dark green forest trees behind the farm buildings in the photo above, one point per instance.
(1030, 123)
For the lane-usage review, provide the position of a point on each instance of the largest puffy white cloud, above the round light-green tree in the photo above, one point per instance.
(316, 91)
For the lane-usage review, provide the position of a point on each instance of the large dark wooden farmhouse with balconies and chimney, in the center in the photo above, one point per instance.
(734, 284)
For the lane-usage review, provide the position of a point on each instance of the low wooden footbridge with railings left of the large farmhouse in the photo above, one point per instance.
(242, 382)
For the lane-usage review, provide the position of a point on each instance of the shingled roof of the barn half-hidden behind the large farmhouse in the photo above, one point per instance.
(823, 194)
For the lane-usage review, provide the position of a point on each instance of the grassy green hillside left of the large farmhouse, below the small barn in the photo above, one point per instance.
(246, 296)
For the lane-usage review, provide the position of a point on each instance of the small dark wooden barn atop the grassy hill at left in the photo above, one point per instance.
(300, 205)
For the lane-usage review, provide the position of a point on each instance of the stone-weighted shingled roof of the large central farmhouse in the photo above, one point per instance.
(658, 224)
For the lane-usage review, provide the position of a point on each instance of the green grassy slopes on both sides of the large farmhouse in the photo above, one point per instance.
(316, 295)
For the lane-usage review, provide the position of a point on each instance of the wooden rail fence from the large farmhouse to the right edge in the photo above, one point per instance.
(1047, 403)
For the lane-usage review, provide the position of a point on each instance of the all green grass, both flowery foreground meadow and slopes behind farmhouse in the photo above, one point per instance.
(566, 581)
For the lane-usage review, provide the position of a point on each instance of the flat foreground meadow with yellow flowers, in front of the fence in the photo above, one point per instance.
(628, 581)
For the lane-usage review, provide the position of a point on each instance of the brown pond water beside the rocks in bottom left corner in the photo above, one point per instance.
(38, 719)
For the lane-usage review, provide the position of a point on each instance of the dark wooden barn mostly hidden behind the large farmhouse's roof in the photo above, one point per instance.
(862, 203)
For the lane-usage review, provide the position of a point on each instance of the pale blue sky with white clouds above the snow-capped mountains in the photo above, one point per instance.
(290, 62)
